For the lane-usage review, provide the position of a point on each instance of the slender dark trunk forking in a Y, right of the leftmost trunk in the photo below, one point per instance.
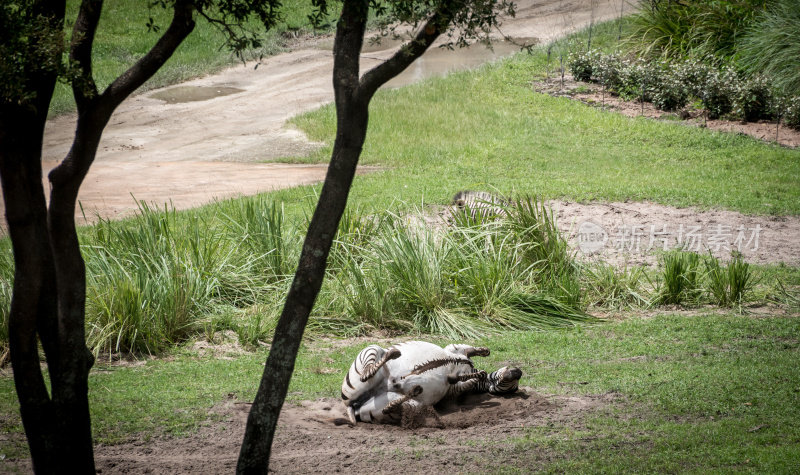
(70, 381)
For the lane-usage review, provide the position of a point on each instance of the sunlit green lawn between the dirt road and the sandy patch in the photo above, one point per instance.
(488, 129)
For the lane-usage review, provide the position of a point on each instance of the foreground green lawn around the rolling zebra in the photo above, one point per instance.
(690, 391)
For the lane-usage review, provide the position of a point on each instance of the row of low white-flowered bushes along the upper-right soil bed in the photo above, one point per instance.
(672, 84)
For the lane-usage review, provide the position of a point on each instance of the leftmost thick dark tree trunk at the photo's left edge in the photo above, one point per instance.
(33, 303)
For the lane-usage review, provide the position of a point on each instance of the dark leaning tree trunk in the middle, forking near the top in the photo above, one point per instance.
(352, 97)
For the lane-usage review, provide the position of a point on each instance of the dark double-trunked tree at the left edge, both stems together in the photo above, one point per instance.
(50, 279)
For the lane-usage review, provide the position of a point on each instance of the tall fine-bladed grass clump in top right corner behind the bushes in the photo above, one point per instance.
(771, 46)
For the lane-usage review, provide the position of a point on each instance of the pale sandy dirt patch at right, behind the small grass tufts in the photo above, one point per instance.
(637, 233)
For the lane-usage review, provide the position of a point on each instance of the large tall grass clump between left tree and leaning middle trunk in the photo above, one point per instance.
(151, 280)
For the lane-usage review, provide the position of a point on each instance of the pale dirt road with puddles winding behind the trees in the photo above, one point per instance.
(194, 152)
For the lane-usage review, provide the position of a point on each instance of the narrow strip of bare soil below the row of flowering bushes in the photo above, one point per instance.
(593, 94)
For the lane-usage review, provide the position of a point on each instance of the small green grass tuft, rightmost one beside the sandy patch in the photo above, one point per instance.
(728, 286)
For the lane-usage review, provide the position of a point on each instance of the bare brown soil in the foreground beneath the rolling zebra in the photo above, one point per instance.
(307, 441)
